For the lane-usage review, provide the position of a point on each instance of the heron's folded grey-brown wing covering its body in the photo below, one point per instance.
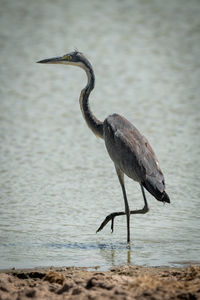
(131, 151)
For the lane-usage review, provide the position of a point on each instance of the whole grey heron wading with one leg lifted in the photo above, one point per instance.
(129, 150)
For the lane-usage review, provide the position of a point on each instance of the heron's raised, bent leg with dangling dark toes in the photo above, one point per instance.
(111, 217)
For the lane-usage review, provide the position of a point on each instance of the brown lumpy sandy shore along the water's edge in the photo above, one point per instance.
(126, 282)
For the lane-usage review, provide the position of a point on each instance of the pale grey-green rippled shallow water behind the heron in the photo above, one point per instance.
(57, 181)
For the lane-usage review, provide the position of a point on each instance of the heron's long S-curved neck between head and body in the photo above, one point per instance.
(93, 123)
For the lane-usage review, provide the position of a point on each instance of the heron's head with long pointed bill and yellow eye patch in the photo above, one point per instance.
(74, 58)
